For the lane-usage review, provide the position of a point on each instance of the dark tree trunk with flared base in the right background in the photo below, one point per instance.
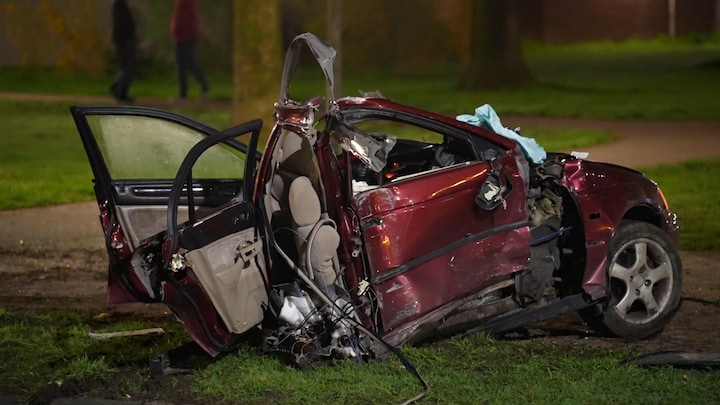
(495, 57)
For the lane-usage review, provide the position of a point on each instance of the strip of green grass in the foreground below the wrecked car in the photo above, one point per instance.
(471, 370)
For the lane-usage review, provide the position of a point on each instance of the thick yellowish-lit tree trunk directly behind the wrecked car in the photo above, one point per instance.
(257, 60)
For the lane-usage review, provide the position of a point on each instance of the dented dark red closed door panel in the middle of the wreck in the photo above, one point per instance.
(428, 243)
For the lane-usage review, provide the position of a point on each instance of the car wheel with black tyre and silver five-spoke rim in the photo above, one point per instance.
(645, 276)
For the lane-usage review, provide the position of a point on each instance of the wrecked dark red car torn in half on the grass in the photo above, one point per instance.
(371, 225)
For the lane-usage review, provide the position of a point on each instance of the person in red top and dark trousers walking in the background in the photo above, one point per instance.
(185, 30)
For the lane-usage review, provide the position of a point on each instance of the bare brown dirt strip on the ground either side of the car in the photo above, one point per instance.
(76, 279)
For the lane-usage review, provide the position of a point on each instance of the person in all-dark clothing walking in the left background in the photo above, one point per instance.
(123, 36)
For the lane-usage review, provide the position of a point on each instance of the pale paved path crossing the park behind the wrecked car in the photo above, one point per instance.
(639, 144)
